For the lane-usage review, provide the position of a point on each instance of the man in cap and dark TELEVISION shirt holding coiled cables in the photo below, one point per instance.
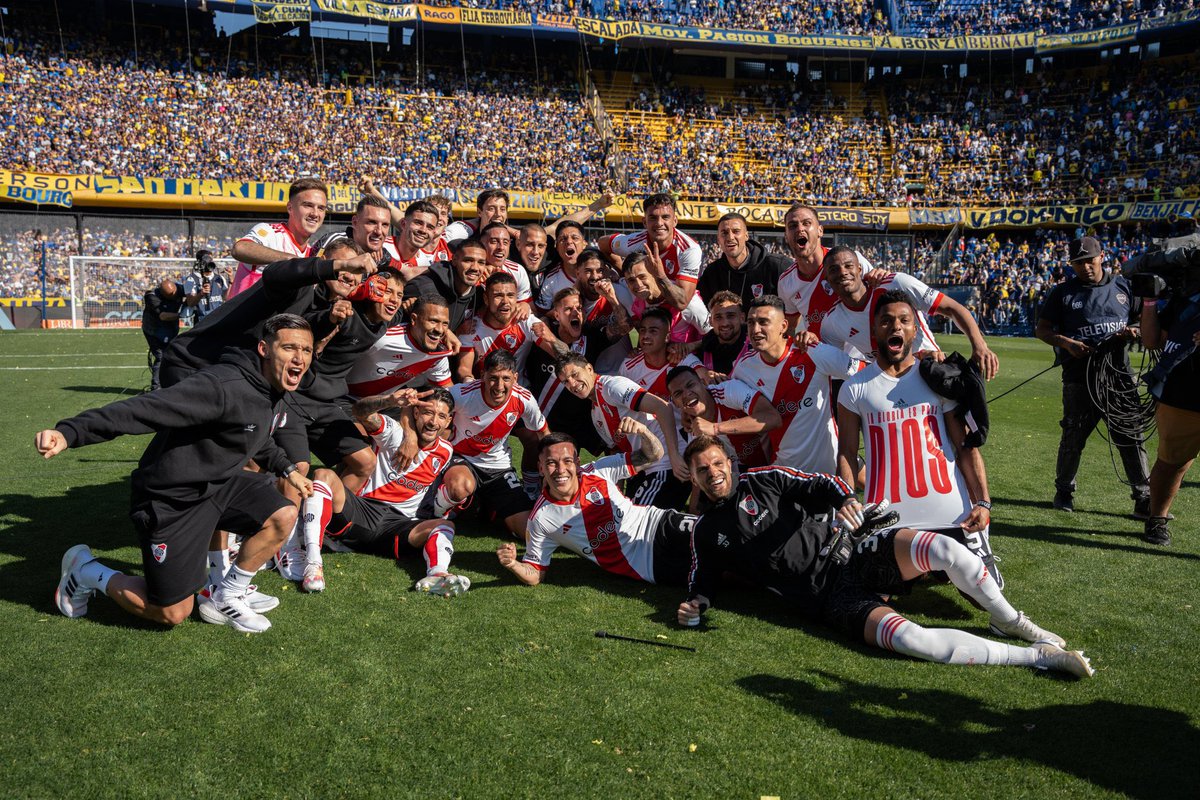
(1090, 311)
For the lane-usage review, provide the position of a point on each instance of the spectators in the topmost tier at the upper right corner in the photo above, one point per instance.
(979, 17)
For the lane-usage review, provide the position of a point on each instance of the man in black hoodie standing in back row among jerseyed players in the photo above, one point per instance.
(745, 268)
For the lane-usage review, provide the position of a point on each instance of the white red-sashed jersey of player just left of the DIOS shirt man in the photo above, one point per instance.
(799, 387)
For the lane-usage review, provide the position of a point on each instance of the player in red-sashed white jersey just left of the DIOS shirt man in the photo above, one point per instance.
(796, 381)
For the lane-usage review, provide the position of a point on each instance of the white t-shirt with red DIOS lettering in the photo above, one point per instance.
(910, 459)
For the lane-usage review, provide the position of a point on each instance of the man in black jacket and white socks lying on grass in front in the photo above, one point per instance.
(772, 526)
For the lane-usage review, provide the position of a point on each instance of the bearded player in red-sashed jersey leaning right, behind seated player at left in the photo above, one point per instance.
(409, 356)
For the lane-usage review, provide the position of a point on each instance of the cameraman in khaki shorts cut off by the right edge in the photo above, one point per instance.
(1177, 330)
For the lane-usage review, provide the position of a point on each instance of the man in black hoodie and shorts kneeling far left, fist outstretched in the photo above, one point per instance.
(191, 483)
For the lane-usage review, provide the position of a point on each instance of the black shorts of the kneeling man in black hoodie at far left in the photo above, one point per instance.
(176, 538)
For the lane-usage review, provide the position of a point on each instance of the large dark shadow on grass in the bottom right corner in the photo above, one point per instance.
(1135, 750)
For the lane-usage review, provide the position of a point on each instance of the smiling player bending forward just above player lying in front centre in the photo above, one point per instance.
(613, 398)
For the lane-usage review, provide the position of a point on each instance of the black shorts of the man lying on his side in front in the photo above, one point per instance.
(857, 588)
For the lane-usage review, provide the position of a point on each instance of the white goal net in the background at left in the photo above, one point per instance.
(109, 292)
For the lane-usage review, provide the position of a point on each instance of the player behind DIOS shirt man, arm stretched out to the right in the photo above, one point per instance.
(849, 326)
